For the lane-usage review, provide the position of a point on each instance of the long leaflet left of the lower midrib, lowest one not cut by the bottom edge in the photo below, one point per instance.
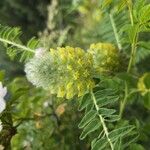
(92, 126)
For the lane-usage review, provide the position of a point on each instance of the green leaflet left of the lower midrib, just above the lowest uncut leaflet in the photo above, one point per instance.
(87, 118)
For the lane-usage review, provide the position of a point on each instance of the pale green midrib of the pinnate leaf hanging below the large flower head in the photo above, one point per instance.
(102, 121)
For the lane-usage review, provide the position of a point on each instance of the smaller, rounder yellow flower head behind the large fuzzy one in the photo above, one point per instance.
(105, 56)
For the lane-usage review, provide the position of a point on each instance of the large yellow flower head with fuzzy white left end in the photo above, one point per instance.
(66, 71)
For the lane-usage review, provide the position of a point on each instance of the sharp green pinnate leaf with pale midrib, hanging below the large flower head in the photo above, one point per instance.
(96, 116)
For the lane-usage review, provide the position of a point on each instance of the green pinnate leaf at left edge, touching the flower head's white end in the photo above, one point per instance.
(11, 38)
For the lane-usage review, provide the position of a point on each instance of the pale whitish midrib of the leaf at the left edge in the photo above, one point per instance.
(17, 45)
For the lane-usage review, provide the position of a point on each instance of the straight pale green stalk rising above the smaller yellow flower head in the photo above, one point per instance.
(115, 31)
